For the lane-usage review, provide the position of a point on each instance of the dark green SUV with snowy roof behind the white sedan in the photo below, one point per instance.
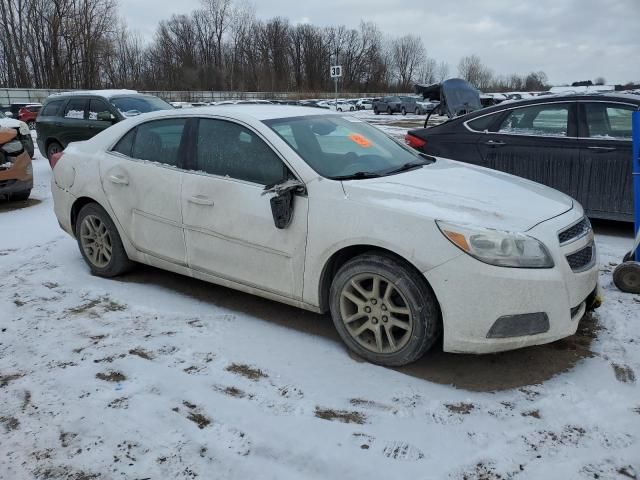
(76, 116)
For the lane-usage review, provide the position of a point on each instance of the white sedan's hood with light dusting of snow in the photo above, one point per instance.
(462, 193)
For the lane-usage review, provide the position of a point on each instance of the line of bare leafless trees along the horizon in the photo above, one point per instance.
(220, 46)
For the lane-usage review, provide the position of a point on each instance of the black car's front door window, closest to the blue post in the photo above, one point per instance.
(608, 120)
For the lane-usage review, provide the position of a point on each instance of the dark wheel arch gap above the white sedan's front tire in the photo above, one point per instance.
(346, 253)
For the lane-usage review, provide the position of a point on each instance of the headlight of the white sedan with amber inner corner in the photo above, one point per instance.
(497, 247)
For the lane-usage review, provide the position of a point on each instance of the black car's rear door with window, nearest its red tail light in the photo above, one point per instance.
(538, 142)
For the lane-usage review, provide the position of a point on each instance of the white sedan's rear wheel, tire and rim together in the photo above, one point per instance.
(94, 221)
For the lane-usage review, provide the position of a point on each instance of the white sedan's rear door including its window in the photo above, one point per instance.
(142, 183)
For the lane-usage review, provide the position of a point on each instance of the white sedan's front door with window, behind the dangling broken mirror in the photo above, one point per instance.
(229, 226)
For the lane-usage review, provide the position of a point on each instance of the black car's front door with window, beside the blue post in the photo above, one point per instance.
(605, 131)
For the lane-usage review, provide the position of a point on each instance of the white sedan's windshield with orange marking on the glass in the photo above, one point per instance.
(339, 146)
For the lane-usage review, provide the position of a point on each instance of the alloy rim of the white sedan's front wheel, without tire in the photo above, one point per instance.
(376, 313)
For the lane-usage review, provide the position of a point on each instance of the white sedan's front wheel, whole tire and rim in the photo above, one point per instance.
(378, 316)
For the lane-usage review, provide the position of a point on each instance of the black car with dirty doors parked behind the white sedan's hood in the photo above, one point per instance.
(578, 144)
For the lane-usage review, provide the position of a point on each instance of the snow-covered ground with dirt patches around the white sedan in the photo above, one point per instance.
(158, 376)
